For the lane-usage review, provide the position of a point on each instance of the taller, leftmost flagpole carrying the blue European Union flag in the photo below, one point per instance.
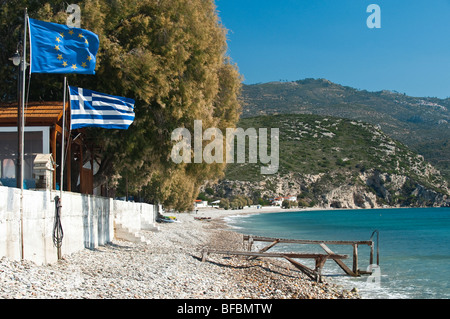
(22, 130)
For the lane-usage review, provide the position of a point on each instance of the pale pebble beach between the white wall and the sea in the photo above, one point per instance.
(168, 266)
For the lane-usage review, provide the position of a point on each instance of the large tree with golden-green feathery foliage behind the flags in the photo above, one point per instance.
(168, 55)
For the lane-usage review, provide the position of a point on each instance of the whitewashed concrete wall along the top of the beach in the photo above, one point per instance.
(87, 222)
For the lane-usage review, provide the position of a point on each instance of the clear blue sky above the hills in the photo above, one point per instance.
(297, 39)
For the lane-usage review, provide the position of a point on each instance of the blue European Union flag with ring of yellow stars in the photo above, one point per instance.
(57, 48)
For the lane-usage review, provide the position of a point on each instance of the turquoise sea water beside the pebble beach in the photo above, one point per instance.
(414, 246)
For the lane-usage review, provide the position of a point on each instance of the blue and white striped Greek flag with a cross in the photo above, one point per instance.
(93, 109)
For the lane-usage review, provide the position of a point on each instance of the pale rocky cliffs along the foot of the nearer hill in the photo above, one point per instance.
(371, 190)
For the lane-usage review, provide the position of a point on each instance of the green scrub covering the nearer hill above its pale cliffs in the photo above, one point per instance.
(339, 150)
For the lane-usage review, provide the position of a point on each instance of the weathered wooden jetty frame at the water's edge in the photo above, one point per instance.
(320, 259)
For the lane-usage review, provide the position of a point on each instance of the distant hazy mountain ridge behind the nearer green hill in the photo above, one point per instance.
(423, 124)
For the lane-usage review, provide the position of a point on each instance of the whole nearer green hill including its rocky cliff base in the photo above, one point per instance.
(335, 162)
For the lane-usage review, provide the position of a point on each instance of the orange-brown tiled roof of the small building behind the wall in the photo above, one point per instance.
(36, 113)
